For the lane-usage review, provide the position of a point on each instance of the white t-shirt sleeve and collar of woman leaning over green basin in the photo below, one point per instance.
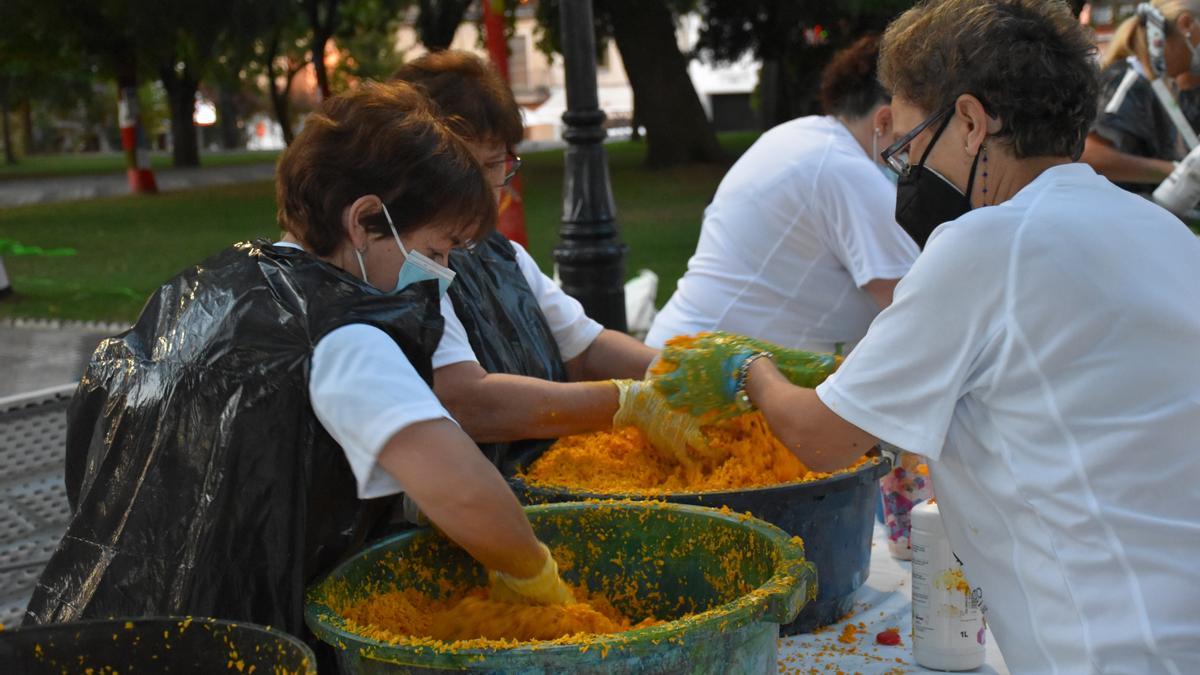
(364, 391)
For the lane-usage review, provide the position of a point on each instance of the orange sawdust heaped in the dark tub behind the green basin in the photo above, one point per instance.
(623, 462)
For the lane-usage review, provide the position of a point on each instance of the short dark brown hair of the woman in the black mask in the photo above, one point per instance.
(1029, 62)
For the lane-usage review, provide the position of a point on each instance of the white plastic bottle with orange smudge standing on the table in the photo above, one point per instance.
(949, 630)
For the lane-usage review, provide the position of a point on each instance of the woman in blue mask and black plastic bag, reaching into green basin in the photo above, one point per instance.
(242, 438)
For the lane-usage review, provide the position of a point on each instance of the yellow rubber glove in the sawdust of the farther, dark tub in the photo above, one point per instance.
(673, 433)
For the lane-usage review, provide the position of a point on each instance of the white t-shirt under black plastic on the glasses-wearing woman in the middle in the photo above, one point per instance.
(573, 331)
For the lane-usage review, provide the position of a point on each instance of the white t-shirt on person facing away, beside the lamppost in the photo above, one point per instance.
(799, 226)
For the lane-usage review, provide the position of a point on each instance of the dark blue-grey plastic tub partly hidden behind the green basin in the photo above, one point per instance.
(835, 517)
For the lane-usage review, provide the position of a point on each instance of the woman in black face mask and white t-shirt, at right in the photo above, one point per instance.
(1043, 353)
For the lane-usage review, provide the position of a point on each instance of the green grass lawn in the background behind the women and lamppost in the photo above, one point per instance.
(127, 247)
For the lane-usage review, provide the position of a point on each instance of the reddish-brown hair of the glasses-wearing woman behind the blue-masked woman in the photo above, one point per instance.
(476, 100)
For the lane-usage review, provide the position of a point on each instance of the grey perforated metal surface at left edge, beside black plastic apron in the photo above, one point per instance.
(34, 510)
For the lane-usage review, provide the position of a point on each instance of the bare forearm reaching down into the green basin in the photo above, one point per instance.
(464, 495)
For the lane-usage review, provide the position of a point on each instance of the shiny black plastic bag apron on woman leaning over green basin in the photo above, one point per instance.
(201, 481)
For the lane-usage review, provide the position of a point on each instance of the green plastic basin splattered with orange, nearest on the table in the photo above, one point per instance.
(739, 580)
